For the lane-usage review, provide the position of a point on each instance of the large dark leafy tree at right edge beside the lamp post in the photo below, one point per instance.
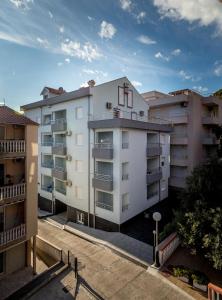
(199, 219)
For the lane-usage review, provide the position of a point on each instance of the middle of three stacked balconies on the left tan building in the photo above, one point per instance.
(12, 193)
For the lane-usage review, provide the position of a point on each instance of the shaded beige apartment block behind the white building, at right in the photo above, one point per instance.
(194, 119)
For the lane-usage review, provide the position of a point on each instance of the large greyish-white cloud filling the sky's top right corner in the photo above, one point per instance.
(205, 12)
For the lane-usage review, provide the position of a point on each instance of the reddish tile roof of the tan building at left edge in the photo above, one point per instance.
(10, 116)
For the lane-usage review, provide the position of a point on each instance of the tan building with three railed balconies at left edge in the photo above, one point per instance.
(18, 190)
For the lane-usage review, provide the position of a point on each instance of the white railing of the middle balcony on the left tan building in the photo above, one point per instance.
(12, 191)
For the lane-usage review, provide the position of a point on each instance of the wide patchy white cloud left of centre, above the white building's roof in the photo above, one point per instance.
(86, 52)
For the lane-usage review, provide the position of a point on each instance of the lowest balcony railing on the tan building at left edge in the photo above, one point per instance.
(12, 234)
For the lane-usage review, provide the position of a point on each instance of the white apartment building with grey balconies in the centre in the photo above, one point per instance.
(100, 158)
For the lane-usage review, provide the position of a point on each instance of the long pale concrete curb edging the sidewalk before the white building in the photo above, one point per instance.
(100, 242)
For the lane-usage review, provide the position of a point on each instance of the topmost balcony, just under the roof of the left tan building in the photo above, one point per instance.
(12, 148)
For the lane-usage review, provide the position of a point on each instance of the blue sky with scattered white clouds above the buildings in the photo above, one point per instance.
(158, 44)
